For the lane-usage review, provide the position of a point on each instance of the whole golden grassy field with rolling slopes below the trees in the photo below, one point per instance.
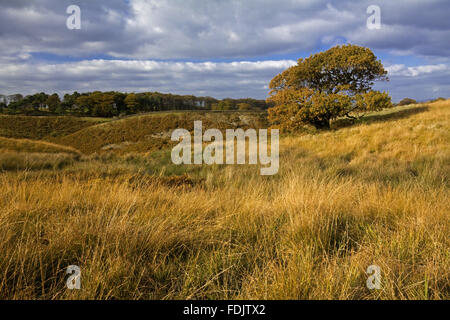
(105, 196)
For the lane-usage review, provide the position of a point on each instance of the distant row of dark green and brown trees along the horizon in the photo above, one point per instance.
(111, 104)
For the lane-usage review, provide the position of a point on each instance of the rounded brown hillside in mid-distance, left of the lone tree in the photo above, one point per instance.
(152, 132)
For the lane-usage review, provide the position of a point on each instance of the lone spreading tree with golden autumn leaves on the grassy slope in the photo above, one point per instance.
(327, 85)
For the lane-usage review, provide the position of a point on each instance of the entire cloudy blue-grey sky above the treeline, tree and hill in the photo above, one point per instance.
(220, 48)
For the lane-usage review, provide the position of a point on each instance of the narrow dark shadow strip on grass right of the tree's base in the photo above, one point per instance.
(390, 116)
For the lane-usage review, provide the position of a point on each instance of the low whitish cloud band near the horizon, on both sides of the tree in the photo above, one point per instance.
(219, 79)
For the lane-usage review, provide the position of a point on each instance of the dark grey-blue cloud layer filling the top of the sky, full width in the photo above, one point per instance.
(162, 29)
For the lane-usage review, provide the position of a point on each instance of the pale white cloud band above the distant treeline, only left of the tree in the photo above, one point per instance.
(220, 79)
